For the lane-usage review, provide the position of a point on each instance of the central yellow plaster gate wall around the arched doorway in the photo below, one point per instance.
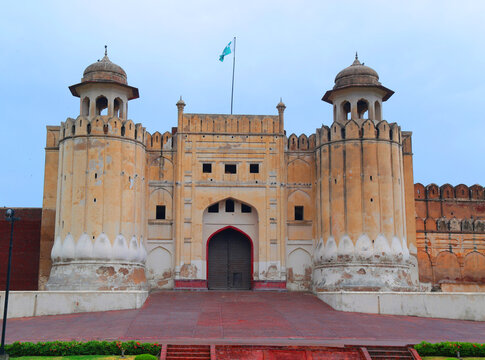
(239, 140)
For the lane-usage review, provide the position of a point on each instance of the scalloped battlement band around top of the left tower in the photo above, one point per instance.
(102, 125)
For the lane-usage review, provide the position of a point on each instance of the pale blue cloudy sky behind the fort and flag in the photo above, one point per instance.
(431, 53)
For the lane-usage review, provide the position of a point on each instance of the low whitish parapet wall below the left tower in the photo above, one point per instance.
(37, 303)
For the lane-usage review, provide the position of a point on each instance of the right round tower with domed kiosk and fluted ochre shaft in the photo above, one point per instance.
(363, 243)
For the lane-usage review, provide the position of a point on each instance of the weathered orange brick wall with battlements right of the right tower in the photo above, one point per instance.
(450, 235)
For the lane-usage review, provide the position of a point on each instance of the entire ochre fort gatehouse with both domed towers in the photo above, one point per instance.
(128, 209)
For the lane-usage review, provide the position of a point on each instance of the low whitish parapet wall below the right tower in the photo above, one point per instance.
(450, 305)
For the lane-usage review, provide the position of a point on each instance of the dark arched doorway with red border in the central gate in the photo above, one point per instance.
(229, 260)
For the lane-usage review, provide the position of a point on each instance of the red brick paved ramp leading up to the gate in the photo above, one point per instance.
(244, 317)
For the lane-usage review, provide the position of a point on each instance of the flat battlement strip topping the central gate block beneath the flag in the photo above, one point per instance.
(231, 124)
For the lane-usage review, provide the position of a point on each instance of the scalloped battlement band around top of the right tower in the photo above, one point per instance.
(352, 130)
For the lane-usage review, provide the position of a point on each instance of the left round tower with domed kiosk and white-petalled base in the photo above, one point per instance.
(99, 229)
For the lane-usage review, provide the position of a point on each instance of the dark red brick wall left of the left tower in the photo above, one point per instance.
(25, 251)
